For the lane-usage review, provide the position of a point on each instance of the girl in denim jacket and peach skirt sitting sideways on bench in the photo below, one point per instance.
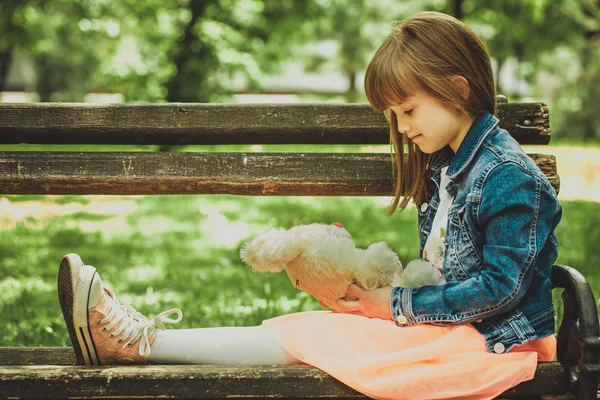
(477, 334)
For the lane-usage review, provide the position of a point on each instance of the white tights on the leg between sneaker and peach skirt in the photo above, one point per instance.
(228, 345)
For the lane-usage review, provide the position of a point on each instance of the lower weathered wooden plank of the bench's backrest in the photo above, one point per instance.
(297, 174)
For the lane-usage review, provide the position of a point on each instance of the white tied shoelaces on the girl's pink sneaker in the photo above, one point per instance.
(134, 326)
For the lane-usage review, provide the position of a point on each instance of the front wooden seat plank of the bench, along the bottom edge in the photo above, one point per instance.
(209, 381)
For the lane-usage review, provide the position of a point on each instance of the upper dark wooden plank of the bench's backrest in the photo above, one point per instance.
(184, 123)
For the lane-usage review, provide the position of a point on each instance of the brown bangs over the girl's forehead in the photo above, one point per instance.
(389, 80)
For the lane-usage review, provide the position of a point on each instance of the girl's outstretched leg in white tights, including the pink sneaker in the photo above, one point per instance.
(103, 331)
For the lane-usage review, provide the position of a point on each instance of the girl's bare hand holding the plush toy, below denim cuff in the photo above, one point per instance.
(371, 303)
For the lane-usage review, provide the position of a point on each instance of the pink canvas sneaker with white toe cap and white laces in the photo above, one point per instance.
(101, 329)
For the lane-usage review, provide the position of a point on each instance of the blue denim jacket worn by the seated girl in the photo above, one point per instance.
(500, 243)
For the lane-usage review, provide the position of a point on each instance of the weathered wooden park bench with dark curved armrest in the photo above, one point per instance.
(50, 372)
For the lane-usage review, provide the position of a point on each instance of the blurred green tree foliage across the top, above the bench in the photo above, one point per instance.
(204, 50)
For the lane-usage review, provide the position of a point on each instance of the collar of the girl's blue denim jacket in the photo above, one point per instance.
(481, 128)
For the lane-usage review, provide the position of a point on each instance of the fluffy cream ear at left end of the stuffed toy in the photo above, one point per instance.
(269, 251)
